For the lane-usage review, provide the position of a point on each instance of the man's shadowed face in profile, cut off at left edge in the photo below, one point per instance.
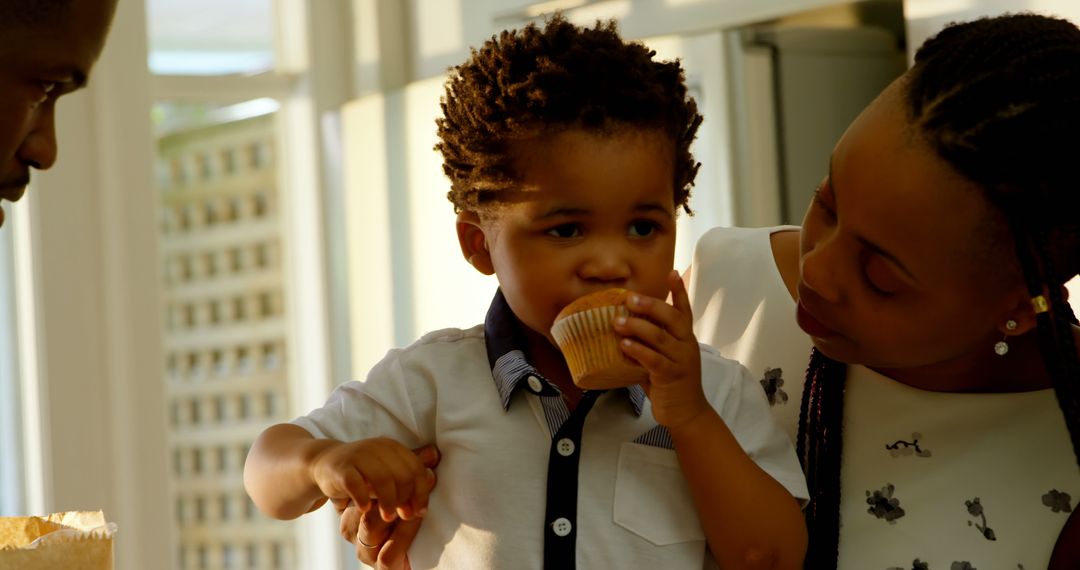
(47, 50)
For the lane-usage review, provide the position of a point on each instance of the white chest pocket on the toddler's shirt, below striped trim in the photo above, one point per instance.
(652, 497)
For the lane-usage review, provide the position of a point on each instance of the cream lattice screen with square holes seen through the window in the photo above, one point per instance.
(225, 336)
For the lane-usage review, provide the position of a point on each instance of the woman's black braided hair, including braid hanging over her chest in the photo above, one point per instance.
(1000, 100)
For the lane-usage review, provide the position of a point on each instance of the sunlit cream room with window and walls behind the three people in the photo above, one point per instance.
(249, 212)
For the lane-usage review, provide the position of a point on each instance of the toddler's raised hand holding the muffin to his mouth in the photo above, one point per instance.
(663, 342)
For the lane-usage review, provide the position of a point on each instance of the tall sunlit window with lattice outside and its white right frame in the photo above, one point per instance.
(235, 123)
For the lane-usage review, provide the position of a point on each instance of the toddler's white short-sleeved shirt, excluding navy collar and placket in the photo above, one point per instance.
(489, 510)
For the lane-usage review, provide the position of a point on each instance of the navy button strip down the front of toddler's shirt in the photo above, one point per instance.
(561, 519)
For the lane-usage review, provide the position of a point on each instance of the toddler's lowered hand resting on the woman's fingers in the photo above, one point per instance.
(379, 469)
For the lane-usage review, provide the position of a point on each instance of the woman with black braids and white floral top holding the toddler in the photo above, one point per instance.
(931, 262)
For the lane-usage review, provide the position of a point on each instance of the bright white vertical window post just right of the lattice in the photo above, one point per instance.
(307, 180)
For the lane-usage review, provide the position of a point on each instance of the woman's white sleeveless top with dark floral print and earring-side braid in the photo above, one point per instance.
(930, 481)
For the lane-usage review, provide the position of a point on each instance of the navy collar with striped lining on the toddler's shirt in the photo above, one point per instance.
(506, 356)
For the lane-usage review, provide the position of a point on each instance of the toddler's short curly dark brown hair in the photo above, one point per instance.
(530, 83)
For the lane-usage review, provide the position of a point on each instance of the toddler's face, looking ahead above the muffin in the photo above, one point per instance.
(593, 211)
